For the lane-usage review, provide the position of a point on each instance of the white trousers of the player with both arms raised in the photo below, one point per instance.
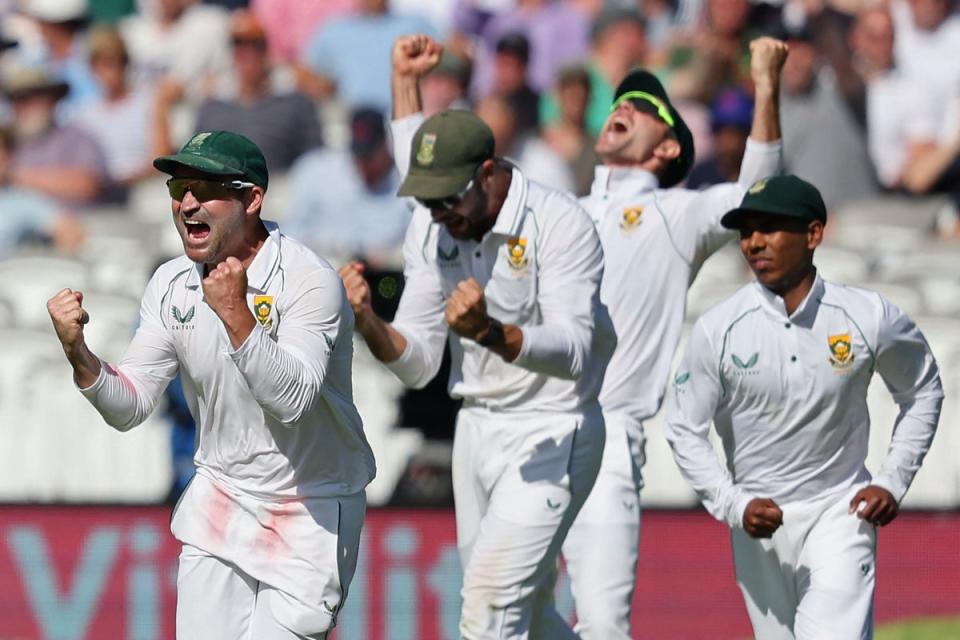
(602, 547)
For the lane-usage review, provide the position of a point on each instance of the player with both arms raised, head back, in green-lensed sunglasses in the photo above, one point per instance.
(655, 238)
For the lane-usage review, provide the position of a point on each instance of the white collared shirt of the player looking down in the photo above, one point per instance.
(540, 267)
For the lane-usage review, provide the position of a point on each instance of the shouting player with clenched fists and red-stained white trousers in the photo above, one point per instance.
(260, 330)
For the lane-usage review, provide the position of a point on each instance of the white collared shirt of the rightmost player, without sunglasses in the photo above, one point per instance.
(788, 396)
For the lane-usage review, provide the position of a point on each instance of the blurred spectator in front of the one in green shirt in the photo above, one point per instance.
(568, 136)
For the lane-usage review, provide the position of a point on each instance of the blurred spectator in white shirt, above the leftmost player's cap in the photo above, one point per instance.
(179, 44)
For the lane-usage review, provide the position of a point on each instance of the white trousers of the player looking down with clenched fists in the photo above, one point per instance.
(519, 480)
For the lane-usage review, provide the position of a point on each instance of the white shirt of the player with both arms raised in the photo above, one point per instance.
(654, 242)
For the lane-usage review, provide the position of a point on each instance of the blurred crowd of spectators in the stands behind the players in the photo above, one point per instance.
(93, 90)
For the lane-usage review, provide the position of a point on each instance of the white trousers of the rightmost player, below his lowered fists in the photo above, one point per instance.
(814, 579)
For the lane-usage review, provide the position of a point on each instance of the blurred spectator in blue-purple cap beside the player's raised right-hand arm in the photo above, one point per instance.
(731, 116)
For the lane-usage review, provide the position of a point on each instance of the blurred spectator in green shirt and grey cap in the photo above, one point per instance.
(617, 45)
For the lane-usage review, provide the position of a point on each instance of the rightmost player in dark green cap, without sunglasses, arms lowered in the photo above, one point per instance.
(782, 368)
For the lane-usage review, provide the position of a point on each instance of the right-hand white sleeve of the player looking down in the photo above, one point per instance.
(571, 267)
